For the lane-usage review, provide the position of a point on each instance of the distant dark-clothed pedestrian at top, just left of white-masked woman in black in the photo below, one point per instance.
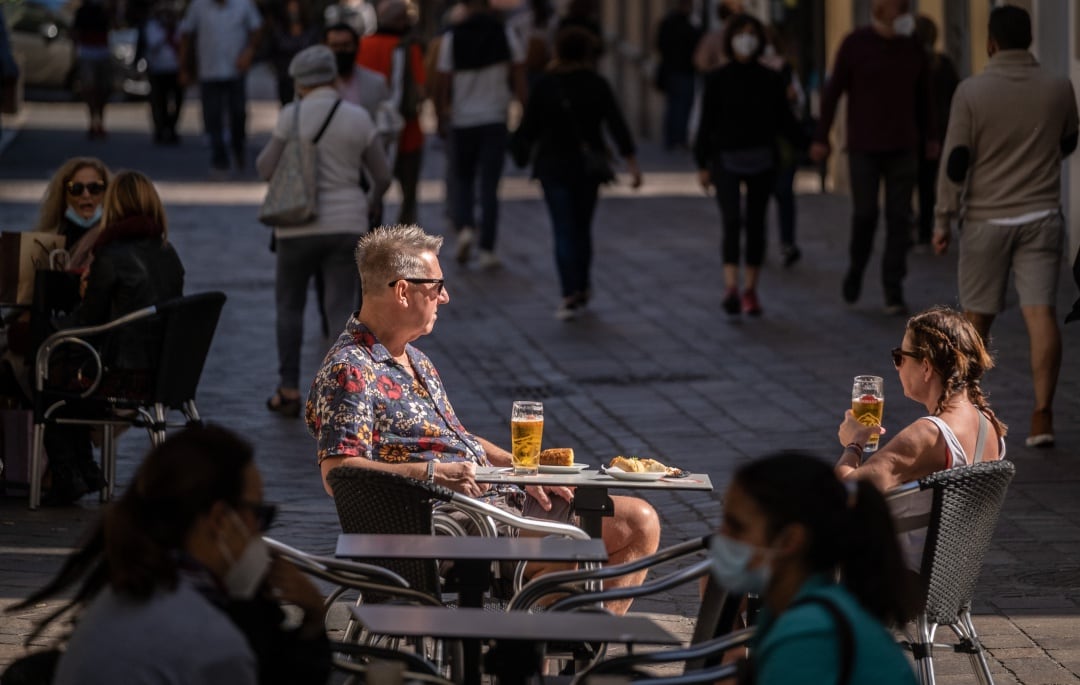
(677, 41)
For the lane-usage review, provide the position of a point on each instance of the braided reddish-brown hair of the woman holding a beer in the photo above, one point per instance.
(954, 348)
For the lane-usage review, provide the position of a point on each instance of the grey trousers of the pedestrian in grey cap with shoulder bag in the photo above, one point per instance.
(299, 259)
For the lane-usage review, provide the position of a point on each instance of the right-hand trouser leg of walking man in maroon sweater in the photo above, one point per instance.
(900, 171)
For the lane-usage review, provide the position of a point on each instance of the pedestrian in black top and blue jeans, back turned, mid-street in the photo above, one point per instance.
(562, 129)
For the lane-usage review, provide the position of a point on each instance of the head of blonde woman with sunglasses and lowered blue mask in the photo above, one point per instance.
(73, 203)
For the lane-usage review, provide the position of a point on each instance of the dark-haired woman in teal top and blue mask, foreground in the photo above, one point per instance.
(790, 529)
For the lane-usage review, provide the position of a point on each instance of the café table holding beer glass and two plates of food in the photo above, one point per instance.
(591, 500)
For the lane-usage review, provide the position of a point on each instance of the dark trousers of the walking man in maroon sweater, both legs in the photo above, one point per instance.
(899, 171)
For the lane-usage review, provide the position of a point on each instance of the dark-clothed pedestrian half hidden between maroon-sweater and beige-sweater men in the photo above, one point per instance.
(943, 83)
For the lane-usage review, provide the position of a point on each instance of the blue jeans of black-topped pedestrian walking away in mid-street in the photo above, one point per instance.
(572, 205)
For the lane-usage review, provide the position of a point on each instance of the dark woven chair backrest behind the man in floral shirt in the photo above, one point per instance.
(377, 503)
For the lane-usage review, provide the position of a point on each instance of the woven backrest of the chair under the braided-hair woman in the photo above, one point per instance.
(966, 505)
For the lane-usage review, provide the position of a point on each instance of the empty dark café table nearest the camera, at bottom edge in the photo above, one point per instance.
(518, 636)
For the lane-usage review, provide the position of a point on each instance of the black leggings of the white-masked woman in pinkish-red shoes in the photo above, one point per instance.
(730, 197)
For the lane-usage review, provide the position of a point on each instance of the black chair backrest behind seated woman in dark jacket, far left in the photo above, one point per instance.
(187, 328)
